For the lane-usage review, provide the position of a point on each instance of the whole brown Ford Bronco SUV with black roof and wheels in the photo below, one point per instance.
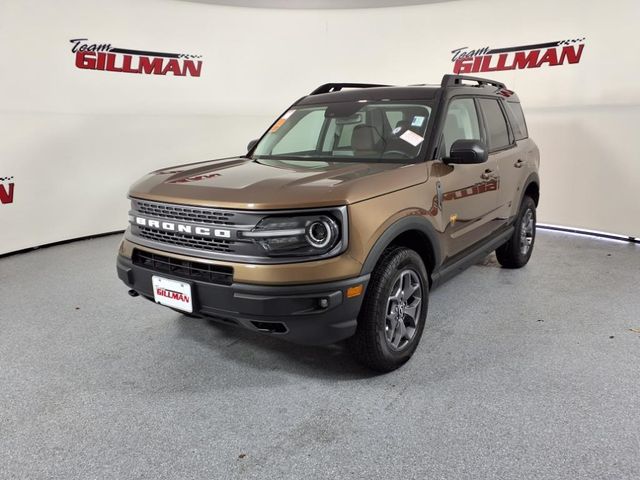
(336, 224)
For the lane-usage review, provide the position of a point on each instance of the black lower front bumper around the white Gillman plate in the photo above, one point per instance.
(293, 312)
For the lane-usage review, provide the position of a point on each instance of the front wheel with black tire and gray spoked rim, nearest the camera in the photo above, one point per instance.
(370, 345)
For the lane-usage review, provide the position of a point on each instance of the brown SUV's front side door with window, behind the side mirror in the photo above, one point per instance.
(468, 192)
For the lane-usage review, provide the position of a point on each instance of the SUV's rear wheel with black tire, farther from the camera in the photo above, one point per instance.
(512, 254)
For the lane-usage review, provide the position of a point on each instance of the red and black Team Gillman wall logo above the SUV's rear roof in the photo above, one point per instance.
(488, 59)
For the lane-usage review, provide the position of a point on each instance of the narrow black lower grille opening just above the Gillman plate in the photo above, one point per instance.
(205, 272)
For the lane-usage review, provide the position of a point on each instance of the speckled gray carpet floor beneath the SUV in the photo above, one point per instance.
(531, 374)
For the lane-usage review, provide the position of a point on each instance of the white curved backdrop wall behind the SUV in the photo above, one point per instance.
(73, 140)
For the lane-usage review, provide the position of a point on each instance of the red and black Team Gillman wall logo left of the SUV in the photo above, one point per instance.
(105, 57)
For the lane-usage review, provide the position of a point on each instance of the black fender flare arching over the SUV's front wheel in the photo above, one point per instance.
(405, 224)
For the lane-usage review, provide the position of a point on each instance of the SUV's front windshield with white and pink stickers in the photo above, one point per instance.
(349, 131)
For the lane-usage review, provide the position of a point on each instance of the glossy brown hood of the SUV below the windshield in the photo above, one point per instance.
(244, 183)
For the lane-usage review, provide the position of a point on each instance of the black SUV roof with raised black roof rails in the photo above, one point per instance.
(351, 92)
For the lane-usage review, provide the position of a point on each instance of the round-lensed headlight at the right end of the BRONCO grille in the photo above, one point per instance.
(307, 235)
